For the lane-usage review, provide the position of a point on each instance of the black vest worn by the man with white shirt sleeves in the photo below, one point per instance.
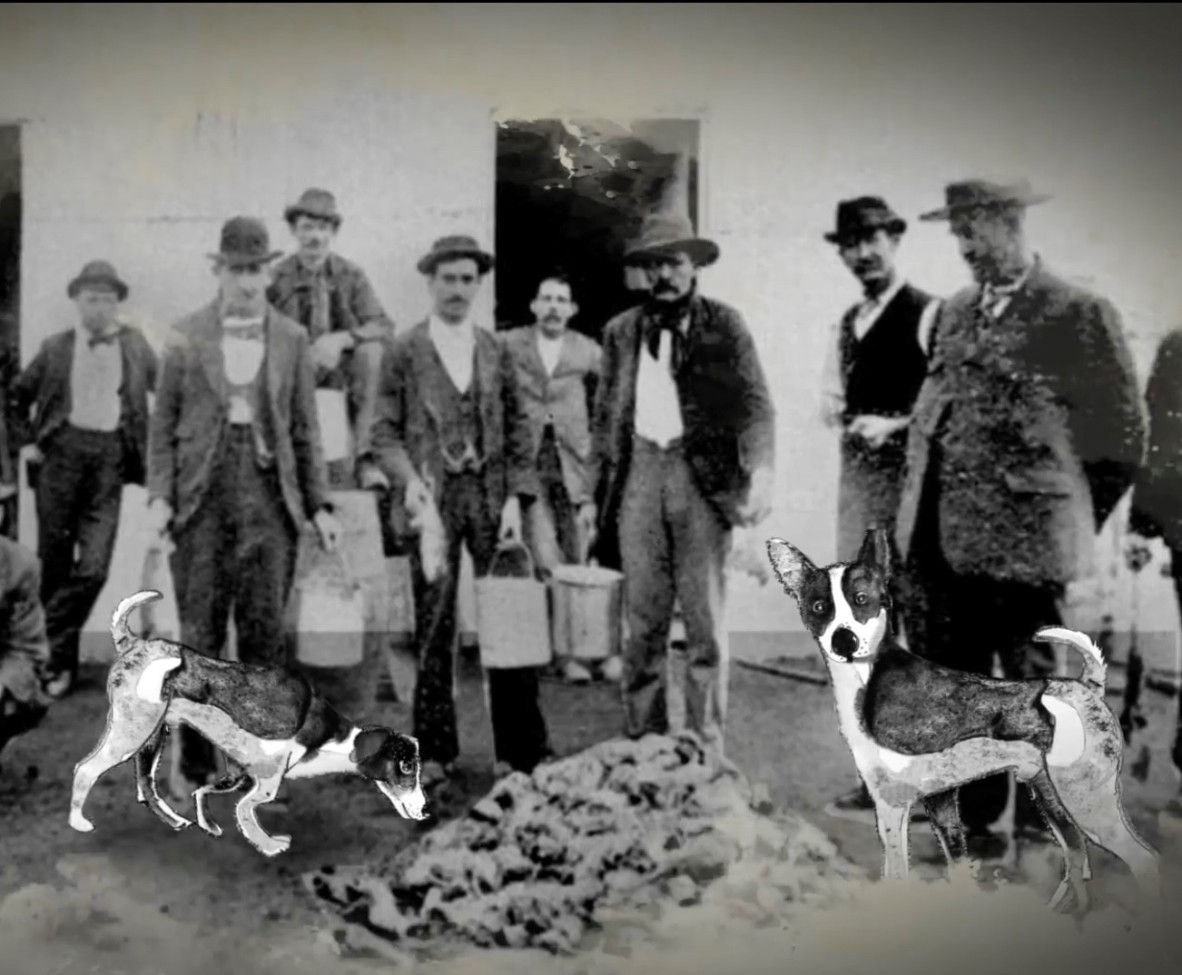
(885, 369)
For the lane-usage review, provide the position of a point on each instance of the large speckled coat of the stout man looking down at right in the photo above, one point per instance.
(1038, 422)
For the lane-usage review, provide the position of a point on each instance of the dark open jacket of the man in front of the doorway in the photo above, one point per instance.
(728, 412)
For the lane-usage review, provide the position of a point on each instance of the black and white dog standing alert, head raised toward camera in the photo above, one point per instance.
(919, 732)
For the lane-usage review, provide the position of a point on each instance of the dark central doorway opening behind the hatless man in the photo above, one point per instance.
(571, 193)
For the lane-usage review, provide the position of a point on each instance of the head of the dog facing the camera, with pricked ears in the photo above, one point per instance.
(846, 607)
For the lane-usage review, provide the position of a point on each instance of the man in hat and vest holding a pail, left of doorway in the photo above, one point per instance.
(452, 433)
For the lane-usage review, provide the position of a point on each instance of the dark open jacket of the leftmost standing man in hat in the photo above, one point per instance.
(44, 389)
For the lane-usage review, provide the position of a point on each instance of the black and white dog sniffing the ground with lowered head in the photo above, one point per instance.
(268, 720)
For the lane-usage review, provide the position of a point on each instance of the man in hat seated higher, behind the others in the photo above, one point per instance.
(333, 298)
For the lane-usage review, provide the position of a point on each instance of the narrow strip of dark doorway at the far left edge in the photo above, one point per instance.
(10, 315)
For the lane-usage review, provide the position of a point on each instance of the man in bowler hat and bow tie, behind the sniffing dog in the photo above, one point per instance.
(236, 465)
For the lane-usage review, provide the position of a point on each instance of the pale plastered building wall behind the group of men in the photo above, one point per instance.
(150, 125)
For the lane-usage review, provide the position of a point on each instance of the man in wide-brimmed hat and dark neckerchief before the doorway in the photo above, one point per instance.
(684, 453)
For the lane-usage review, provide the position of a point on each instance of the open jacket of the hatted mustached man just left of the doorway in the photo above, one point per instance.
(406, 430)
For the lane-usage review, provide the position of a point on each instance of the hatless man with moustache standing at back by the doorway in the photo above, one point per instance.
(558, 370)
